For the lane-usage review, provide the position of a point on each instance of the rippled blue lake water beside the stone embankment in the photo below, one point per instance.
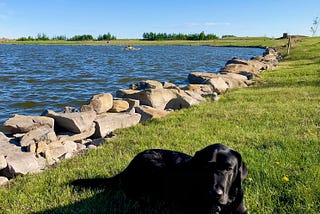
(38, 77)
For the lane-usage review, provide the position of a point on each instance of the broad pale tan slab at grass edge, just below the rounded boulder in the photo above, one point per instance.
(106, 123)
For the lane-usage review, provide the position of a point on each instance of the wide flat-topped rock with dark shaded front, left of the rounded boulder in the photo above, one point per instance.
(76, 122)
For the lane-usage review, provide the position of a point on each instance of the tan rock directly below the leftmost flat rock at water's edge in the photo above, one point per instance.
(41, 134)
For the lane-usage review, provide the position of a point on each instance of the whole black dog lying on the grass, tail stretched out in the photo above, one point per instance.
(209, 182)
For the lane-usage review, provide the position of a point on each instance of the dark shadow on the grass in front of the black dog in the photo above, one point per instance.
(113, 202)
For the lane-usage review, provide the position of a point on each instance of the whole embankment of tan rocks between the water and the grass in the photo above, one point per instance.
(32, 143)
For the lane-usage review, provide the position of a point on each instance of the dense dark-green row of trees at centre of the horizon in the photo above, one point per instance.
(164, 36)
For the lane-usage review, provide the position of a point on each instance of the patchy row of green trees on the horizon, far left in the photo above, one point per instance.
(84, 37)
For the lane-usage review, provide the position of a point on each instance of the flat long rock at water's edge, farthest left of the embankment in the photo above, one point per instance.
(23, 124)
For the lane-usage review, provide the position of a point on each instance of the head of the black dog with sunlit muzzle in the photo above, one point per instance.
(222, 170)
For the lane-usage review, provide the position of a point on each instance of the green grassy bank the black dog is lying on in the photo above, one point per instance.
(275, 125)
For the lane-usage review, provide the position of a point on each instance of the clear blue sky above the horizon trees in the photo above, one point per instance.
(131, 18)
